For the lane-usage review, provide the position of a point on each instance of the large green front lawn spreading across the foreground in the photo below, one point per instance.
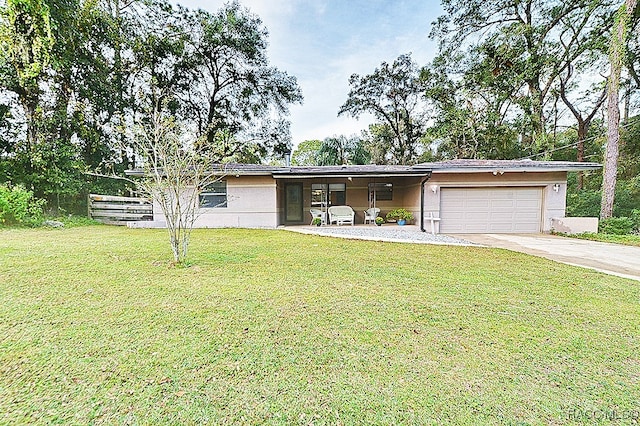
(271, 327)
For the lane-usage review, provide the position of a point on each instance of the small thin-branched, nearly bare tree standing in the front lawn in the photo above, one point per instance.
(175, 173)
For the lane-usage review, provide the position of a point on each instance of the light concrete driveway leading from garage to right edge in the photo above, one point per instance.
(614, 259)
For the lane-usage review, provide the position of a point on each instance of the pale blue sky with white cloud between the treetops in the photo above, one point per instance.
(323, 42)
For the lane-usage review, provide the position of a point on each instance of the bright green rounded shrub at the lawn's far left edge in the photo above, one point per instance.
(18, 206)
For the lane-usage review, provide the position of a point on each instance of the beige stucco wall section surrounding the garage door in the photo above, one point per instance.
(553, 203)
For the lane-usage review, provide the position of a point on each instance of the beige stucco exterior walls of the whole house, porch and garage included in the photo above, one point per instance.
(258, 201)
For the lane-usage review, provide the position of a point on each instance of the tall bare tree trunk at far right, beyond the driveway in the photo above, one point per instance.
(616, 56)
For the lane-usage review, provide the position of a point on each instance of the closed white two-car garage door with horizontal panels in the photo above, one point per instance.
(490, 210)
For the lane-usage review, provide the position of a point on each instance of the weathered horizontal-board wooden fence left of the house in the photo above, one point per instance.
(119, 210)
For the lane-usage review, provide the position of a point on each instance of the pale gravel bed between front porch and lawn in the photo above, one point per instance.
(384, 233)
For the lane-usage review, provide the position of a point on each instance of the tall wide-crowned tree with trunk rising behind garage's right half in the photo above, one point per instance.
(529, 37)
